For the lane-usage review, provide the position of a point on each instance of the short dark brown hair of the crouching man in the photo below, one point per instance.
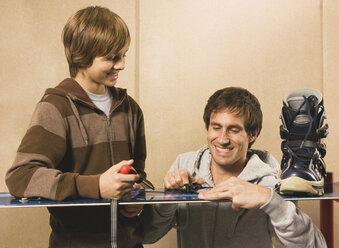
(236, 100)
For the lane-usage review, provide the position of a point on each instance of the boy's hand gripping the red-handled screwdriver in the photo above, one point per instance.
(114, 185)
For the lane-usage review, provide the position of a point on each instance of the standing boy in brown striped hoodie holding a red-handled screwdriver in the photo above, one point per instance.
(79, 130)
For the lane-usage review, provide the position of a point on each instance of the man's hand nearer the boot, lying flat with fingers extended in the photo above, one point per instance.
(242, 193)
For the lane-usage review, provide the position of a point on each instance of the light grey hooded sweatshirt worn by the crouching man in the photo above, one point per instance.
(215, 224)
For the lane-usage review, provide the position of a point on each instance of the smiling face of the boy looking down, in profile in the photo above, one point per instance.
(103, 72)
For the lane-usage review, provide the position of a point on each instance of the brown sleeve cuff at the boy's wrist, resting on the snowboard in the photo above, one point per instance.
(88, 186)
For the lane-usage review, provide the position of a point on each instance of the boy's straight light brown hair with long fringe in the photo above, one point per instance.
(90, 32)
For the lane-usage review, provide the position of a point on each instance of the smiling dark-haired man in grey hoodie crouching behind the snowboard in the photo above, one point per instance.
(252, 213)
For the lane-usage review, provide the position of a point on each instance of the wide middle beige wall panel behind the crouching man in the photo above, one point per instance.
(189, 49)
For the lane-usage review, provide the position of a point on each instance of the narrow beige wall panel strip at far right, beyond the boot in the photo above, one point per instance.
(331, 89)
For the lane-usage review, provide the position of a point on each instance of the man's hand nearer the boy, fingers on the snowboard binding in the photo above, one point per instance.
(178, 178)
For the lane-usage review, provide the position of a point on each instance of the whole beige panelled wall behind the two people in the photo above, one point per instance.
(182, 51)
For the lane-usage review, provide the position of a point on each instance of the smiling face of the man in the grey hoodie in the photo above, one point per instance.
(227, 140)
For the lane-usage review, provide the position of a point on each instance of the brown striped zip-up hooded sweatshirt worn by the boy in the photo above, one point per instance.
(68, 145)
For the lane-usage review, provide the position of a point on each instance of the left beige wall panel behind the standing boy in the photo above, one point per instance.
(32, 59)
